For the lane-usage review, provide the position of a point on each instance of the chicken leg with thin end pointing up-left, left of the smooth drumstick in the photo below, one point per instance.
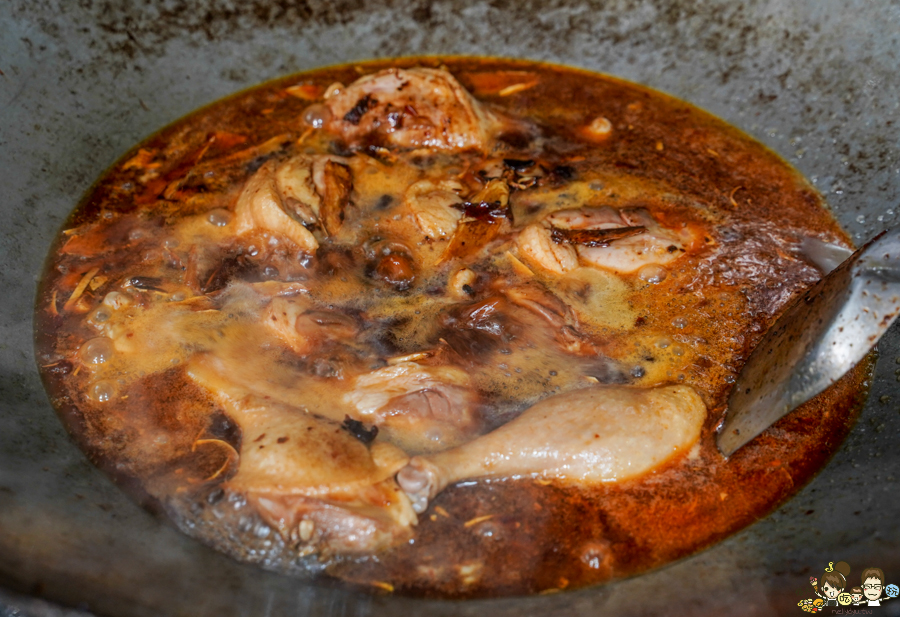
(312, 480)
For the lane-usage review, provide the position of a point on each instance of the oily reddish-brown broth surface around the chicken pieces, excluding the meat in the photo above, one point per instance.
(142, 421)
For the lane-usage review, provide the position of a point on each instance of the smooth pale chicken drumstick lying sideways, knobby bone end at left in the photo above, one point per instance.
(589, 436)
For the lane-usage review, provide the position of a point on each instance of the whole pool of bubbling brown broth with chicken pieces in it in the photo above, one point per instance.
(447, 327)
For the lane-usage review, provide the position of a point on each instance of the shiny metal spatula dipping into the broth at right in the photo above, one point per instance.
(816, 341)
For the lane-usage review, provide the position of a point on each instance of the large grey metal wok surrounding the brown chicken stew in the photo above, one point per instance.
(814, 79)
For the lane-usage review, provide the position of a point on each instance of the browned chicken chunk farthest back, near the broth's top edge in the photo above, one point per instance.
(411, 108)
